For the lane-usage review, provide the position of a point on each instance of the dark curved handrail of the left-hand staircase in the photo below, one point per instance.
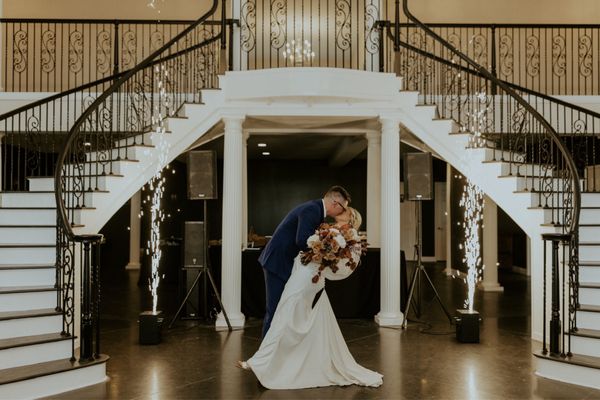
(61, 210)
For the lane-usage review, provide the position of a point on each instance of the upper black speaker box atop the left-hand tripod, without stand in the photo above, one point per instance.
(202, 175)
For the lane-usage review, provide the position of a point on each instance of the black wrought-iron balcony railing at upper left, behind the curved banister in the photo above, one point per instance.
(54, 55)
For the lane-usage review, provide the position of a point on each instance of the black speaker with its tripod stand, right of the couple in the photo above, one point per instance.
(418, 186)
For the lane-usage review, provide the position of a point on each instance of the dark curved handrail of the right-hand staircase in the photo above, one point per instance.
(574, 226)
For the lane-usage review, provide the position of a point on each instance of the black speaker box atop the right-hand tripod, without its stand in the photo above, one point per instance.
(418, 177)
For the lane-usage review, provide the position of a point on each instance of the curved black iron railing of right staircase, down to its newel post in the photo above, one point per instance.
(503, 118)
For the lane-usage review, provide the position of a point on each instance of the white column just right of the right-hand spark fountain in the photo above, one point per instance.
(490, 247)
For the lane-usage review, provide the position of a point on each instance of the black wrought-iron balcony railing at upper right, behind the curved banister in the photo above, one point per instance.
(548, 58)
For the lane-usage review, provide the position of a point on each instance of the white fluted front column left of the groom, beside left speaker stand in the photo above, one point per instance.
(231, 256)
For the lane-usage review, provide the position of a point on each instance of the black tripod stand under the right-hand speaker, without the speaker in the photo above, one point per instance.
(415, 284)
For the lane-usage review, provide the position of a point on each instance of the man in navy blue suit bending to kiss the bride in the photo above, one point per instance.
(290, 238)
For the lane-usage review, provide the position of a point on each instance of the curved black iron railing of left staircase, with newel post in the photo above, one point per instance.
(116, 119)
